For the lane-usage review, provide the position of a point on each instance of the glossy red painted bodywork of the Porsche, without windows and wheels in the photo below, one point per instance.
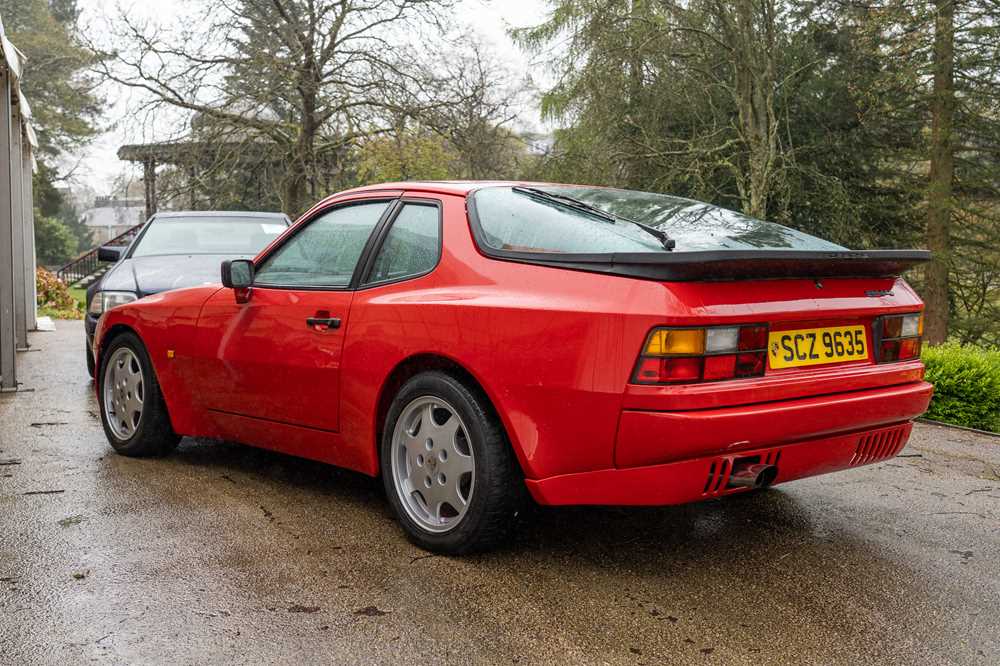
(552, 349)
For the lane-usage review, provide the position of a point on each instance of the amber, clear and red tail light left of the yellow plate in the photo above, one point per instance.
(690, 355)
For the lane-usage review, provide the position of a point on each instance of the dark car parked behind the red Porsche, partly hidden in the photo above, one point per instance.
(175, 250)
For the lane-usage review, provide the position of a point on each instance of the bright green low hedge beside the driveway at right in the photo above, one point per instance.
(966, 385)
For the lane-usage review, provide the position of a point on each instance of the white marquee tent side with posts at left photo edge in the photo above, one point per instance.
(17, 225)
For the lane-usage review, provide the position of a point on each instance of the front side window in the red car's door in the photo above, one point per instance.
(326, 251)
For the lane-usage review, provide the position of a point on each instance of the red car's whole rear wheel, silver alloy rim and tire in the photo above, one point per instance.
(448, 469)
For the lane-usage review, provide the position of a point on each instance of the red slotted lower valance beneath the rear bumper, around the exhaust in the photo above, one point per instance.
(706, 477)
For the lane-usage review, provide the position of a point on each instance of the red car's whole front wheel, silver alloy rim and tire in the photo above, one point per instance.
(133, 412)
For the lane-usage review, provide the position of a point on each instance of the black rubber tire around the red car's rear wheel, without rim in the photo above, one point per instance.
(499, 494)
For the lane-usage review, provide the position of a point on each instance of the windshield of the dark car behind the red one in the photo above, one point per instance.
(208, 234)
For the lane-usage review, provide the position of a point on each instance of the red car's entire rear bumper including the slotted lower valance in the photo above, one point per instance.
(672, 457)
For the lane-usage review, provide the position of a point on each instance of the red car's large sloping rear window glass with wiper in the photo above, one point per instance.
(514, 222)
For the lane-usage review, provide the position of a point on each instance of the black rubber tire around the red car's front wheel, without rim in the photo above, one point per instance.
(153, 435)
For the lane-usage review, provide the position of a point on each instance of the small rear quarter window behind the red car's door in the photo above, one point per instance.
(412, 245)
